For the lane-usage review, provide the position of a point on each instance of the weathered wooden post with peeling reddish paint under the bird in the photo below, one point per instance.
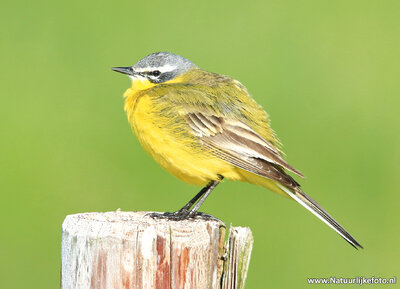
(127, 250)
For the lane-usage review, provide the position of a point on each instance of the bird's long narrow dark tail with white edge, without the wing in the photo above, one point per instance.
(311, 205)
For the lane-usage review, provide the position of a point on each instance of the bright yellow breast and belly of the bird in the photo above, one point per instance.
(169, 149)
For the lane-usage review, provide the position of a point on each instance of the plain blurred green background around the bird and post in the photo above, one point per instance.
(326, 71)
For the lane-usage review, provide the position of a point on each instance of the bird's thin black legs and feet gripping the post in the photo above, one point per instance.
(185, 212)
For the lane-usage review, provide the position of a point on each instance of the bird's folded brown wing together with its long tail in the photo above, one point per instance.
(238, 144)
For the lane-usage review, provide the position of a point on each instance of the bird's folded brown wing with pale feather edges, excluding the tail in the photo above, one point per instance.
(241, 146)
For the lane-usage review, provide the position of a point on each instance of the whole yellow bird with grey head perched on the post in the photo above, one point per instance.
(204, 127)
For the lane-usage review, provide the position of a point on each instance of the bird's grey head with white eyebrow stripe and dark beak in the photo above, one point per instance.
(158, 67)
